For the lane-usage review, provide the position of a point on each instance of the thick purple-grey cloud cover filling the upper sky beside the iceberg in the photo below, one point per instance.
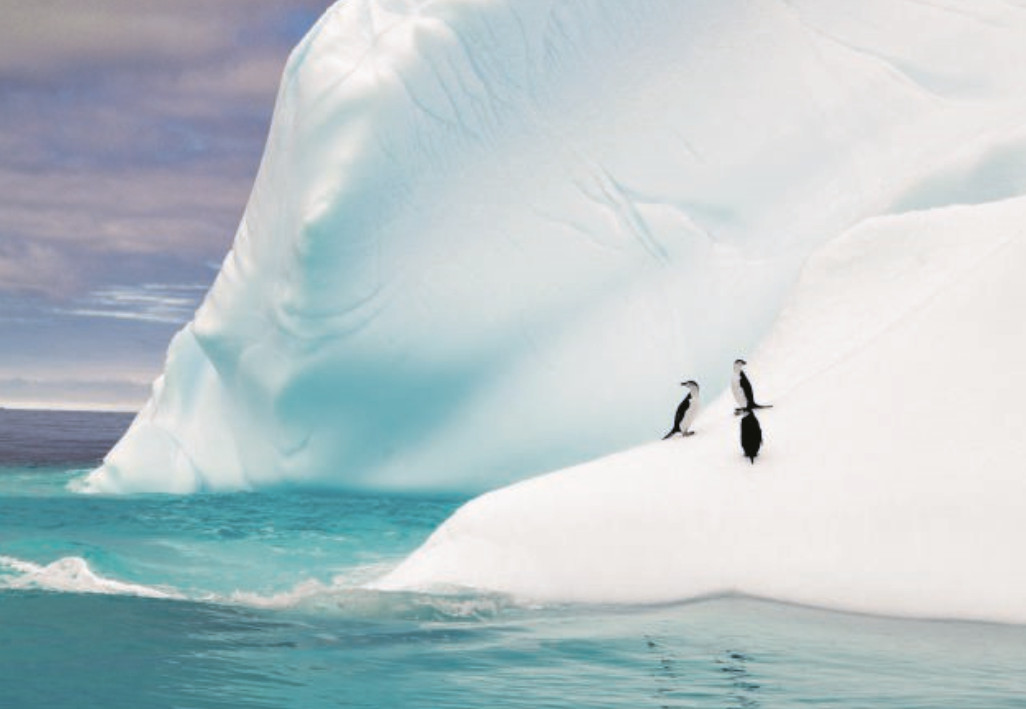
(134, 126)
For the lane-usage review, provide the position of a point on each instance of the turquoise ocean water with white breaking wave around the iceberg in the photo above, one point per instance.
(256, 601)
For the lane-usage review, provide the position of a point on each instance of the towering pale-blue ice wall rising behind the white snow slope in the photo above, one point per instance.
(489, 238)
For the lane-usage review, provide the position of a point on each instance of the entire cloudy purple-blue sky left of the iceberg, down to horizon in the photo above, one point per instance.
(131, 133)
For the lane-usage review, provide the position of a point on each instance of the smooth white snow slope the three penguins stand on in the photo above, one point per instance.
(892, 479)
